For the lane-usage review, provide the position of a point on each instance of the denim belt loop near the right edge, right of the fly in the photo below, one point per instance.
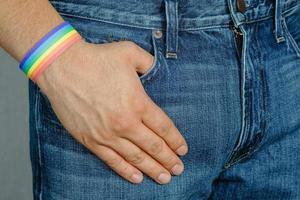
(278, 22)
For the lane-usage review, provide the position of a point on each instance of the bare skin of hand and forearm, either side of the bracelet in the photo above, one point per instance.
(116, 120)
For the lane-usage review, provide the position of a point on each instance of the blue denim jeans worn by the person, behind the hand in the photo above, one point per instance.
(228, 78)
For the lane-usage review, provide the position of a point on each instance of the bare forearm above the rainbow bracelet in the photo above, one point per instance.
(23, 23)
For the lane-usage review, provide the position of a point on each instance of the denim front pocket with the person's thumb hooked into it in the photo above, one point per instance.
(99, 32)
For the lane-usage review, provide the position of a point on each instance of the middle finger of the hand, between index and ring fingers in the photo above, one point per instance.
(157, 148)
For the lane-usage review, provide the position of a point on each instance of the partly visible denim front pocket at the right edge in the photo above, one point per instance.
(291, 26)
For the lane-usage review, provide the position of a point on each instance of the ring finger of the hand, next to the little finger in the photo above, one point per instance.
(141, 160)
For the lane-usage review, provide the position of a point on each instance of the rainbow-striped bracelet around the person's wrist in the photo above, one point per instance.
(47, 49)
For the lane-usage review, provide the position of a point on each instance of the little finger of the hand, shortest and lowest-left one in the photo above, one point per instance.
(118, 164)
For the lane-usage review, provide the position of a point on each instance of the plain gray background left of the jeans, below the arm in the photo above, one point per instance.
(15, 169)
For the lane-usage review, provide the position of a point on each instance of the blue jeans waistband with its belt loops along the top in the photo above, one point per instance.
(172, 16)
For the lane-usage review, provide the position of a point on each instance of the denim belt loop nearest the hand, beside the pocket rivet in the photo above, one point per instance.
(171, 8)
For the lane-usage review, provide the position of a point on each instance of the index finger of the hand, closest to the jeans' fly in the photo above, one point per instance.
(158, 121)
